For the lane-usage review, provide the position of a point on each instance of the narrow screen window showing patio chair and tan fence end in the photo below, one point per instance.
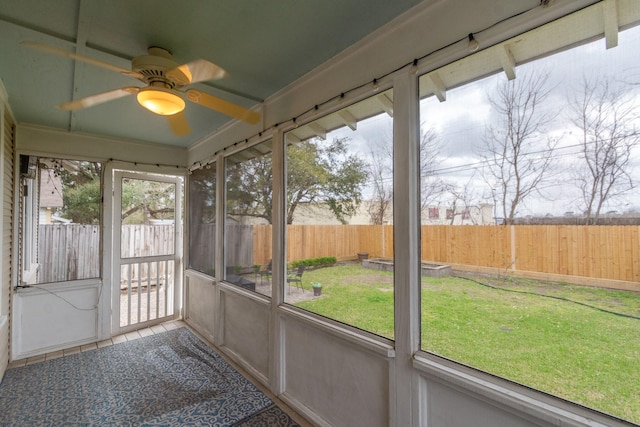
(249, 185)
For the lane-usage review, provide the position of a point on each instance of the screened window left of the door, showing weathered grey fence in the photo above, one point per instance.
(61, 221)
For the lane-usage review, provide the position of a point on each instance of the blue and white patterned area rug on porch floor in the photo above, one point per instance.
(169, 379)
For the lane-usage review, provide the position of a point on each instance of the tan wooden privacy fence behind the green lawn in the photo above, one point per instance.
(602, 252)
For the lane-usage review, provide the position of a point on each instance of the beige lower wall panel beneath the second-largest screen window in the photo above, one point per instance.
(335, 379)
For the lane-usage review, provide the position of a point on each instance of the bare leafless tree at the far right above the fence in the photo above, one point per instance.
(607, 119)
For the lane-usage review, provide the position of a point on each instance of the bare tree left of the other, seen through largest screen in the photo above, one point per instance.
(517, 153)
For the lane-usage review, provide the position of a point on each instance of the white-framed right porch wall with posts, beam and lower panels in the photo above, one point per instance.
(324, 370)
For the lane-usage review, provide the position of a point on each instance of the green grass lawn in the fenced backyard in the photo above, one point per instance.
(579, 343)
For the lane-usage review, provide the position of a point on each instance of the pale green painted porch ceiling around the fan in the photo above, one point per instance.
(263, 45)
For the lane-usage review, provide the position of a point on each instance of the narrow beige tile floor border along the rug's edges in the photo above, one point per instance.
(156, 329)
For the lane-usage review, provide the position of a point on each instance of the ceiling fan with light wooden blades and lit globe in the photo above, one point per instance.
(165, 82)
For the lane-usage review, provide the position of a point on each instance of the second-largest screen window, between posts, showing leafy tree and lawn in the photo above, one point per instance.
(339, 212)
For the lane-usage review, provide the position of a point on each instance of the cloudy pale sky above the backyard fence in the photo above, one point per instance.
(461, 120)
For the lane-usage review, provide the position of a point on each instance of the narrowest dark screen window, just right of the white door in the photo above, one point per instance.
(202, 219)
